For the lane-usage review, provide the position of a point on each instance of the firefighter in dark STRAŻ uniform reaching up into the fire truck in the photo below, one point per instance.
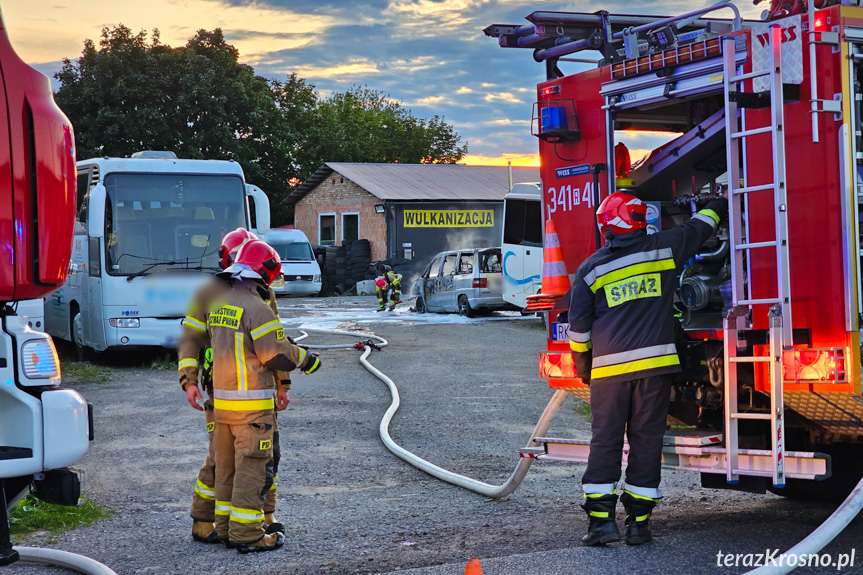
(622, 336)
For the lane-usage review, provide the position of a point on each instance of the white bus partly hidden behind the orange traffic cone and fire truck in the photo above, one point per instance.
(521, 244)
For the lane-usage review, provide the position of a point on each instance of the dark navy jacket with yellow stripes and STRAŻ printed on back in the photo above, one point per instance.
(621, 306)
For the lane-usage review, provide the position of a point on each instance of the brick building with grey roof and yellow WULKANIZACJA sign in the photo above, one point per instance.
(409, 211)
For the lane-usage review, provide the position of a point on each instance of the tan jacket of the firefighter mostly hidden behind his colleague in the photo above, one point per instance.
(194, 339)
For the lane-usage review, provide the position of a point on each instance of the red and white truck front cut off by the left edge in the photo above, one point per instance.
(43, 429)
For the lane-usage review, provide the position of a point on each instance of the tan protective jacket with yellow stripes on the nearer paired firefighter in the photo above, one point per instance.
(248, 344)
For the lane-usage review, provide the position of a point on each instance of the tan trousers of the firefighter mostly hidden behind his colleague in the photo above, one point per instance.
(204, 497)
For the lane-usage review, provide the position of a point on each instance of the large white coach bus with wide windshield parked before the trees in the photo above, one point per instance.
(147, 235)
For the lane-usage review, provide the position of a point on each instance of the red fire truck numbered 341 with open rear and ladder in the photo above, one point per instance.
(769, 114)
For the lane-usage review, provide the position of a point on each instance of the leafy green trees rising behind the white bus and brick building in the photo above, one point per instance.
(133, 93)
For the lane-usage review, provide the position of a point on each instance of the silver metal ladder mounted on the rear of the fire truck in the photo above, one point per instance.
(779, 315)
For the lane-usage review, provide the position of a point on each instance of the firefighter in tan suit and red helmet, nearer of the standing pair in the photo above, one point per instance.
(249, 345)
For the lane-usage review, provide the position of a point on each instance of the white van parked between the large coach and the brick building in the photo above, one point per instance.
(301, 269)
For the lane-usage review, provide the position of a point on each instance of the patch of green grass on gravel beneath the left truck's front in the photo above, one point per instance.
(31, 514)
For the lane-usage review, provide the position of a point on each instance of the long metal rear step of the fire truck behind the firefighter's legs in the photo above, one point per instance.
(698, 458)
